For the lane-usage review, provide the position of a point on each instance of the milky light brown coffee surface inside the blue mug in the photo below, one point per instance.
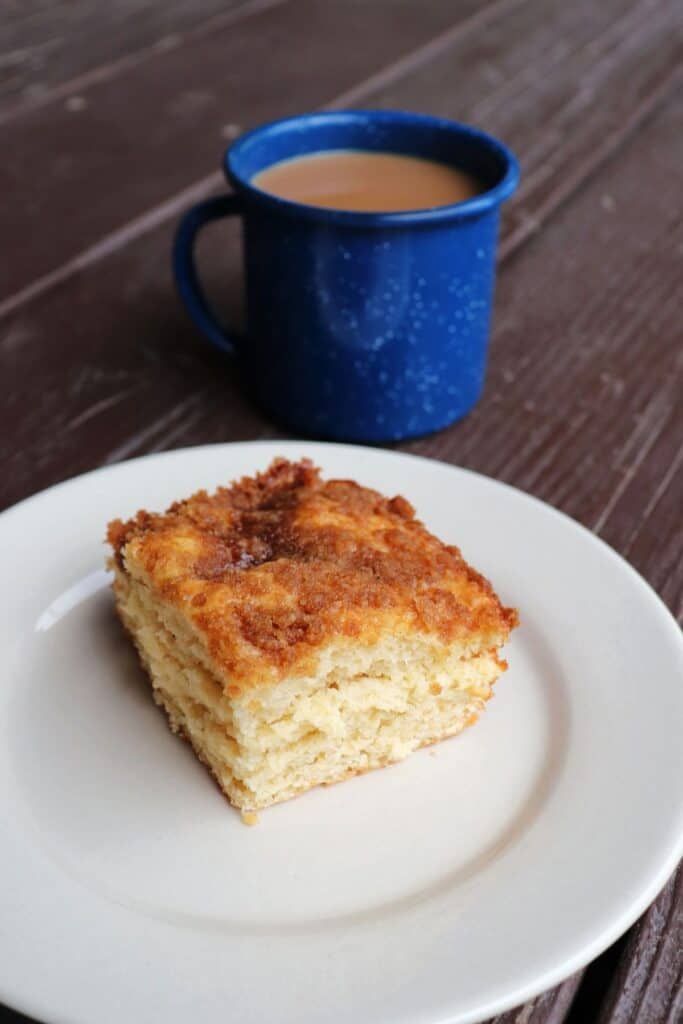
(375, 183)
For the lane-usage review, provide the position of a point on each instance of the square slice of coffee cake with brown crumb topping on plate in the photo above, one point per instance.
(300, 631)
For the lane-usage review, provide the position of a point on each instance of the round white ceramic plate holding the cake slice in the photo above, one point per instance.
(446, 889)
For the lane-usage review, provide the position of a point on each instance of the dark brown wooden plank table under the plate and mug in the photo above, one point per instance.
(112, 122)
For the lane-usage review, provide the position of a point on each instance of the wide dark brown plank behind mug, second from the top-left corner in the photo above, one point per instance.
(137, 140)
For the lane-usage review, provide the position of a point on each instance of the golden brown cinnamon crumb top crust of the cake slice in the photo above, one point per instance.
(275, 568)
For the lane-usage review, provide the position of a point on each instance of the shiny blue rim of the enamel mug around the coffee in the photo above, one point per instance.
(478, 205)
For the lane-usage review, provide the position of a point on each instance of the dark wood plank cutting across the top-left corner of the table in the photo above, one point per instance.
(54, 47)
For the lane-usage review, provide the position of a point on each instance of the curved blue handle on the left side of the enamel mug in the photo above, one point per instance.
(185, 270)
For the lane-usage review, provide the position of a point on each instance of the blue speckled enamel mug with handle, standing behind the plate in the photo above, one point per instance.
(362, 327)
